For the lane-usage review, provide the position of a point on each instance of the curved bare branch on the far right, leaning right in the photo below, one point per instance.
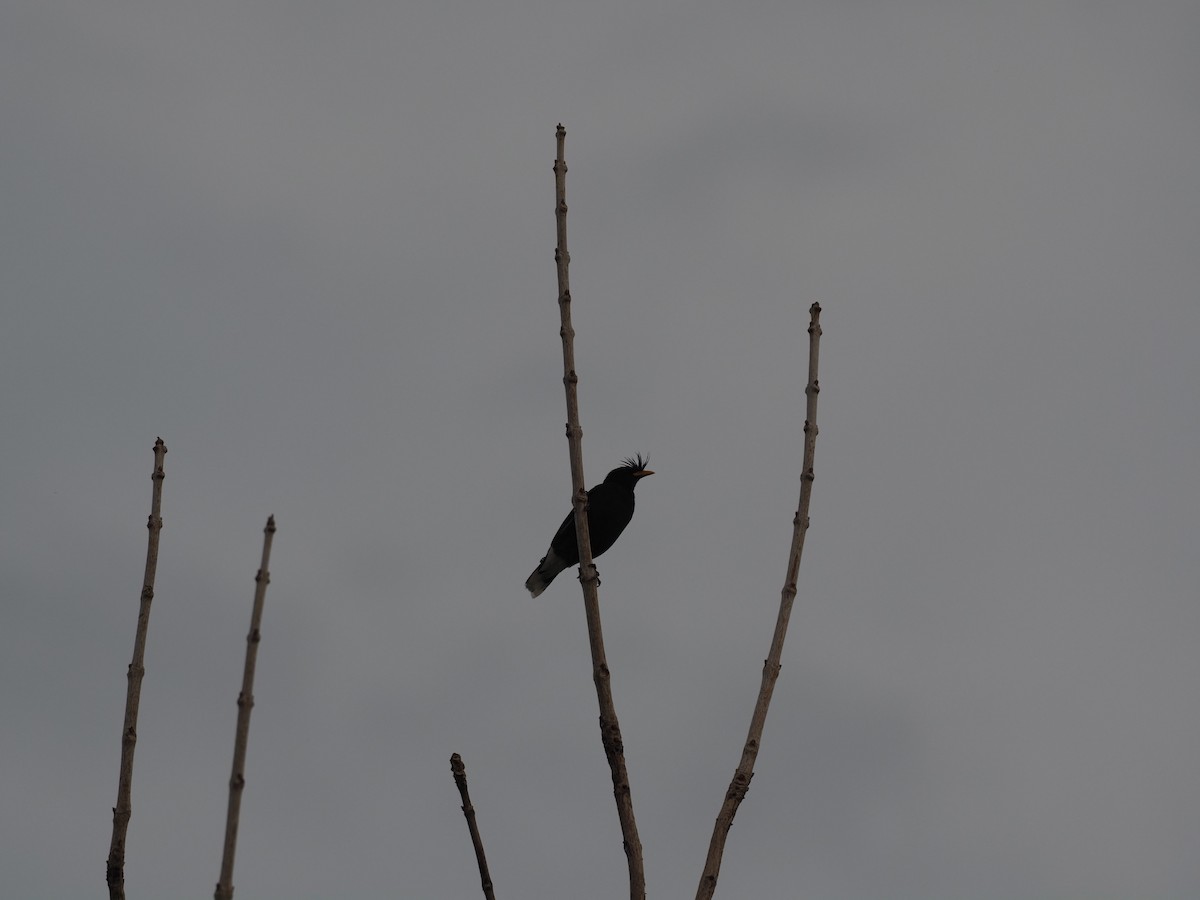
(741, 783)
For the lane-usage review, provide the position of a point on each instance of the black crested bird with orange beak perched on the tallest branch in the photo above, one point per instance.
(610, 508)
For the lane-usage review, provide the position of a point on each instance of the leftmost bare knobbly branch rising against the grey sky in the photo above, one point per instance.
(124, 808)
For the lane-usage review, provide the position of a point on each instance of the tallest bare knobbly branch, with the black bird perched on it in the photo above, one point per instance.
(610, 730)
